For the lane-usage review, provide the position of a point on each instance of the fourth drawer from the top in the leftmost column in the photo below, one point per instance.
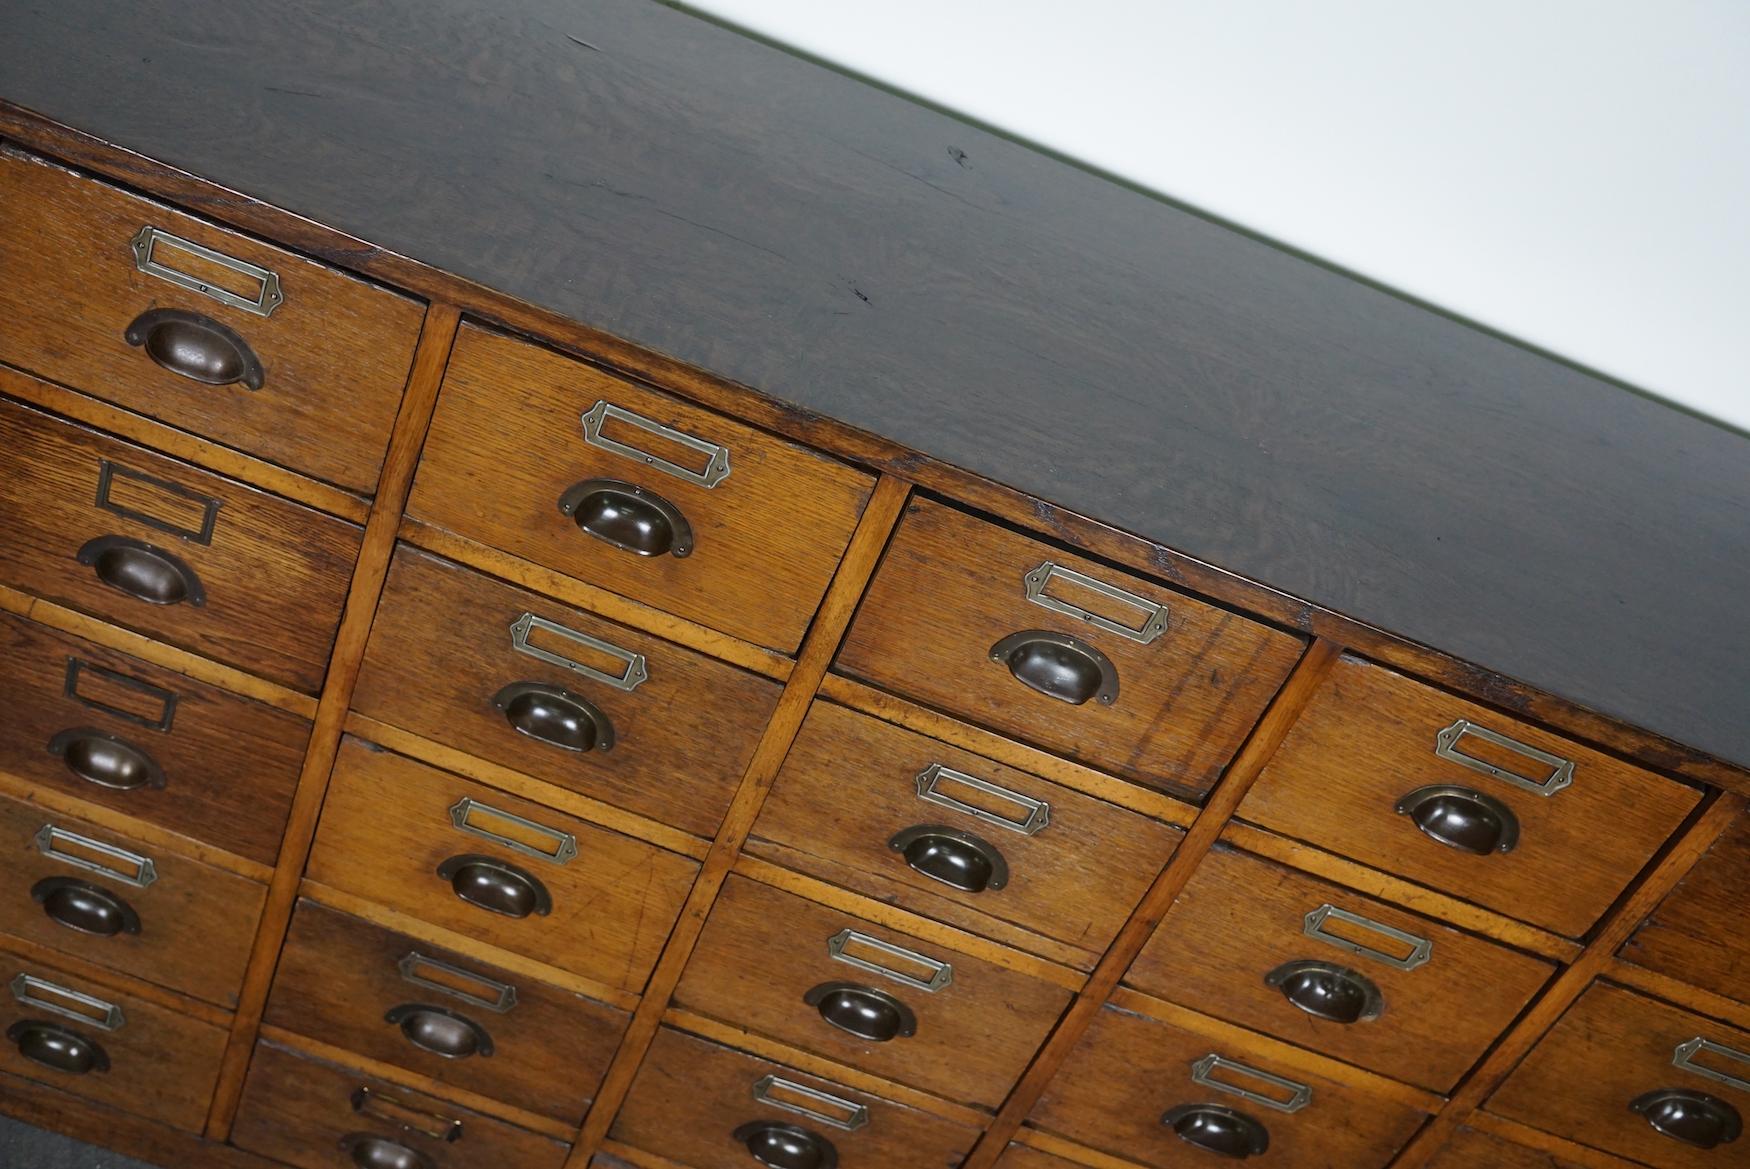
(127, 906)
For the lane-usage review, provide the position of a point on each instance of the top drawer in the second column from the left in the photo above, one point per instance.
(764, 540)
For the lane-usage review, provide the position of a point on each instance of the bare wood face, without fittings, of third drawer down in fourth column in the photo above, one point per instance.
(1130, 1070)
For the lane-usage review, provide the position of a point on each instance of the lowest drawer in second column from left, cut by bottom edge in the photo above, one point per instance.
(321, 1116)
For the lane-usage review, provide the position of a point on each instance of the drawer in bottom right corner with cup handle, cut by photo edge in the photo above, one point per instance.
(1620, 1068)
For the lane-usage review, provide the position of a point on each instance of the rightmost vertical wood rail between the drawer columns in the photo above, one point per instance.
(1565, 988)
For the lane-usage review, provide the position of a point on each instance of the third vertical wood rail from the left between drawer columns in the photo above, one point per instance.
(1224, 801)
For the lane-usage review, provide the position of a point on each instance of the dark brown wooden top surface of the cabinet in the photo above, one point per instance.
(893, 269)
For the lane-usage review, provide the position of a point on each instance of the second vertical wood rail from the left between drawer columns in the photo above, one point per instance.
(818, 648)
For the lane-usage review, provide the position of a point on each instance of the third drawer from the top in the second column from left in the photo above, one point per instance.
(538, 883)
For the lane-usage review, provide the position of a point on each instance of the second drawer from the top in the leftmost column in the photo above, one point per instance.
(197, 561)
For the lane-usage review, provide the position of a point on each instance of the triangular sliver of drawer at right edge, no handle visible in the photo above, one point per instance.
(1697, 934)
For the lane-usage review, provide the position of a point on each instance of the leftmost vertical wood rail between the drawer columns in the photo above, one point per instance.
(405, 440)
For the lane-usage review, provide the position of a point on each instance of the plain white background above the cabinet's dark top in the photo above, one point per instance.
(1571, 172)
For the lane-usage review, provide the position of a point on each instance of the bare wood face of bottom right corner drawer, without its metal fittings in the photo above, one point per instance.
(1607, 1051)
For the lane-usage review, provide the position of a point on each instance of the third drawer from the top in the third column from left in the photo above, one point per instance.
(766, 962)
